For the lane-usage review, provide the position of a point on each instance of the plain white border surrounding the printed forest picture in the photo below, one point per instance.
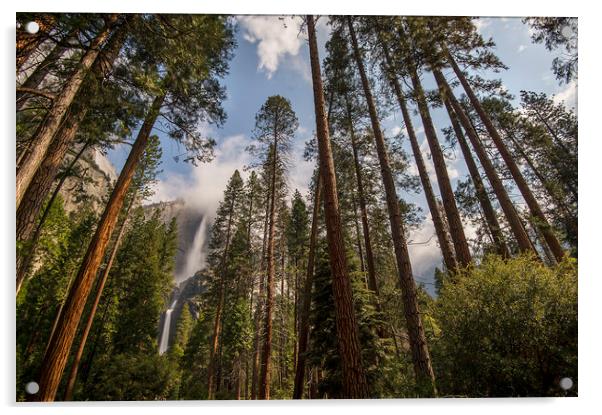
(590, 151)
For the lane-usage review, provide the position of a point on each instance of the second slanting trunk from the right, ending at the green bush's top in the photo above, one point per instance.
(524, 243)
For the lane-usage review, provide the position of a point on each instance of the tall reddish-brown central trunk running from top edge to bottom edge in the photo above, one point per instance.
(354, 377)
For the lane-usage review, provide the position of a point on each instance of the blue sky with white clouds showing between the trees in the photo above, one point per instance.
(271, 58)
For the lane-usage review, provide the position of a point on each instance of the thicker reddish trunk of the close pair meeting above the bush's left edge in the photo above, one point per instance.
(447, 193)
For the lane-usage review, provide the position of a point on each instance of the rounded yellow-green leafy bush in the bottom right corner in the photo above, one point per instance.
(507, 328)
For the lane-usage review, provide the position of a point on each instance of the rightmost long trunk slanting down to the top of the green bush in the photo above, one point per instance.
(544, 227)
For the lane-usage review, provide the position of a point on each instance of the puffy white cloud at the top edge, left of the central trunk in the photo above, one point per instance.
(276, 38)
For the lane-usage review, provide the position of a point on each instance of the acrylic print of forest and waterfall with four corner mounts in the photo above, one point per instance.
(295, 207)
